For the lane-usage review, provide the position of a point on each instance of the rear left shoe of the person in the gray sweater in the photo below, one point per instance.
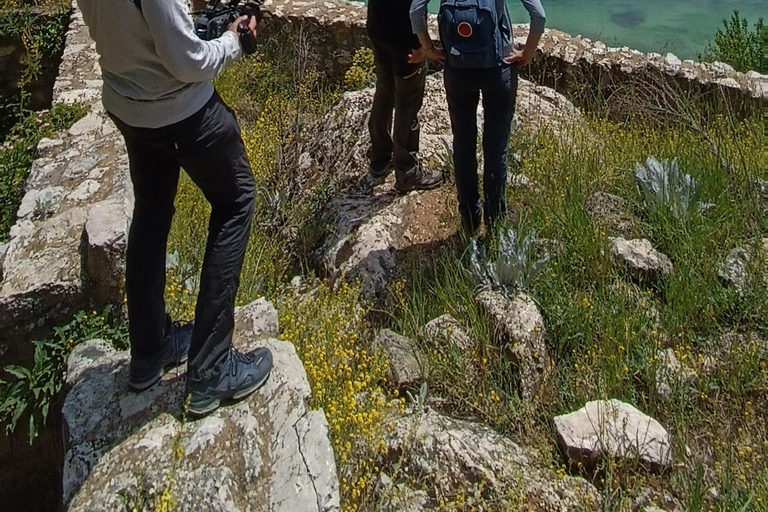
(144, 374)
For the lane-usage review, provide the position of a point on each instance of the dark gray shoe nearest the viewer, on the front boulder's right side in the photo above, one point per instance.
(237, 376)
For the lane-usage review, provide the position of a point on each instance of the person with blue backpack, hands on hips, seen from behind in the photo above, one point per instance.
(479, 55)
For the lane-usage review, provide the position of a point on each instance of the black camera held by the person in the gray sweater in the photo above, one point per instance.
(212, 22)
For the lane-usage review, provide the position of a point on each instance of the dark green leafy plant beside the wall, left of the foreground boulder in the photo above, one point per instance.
(33, 390)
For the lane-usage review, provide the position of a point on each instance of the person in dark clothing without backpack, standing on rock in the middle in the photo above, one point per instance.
(400, 78)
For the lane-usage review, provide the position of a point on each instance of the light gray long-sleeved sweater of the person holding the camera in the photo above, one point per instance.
(156, 70)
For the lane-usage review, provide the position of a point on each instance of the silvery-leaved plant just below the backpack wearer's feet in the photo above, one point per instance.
(514, 268)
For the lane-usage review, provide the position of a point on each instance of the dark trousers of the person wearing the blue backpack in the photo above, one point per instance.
(499, 89)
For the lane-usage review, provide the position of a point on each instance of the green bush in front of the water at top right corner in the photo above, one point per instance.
(739, 46)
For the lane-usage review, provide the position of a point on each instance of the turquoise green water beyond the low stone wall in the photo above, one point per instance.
(683, 27)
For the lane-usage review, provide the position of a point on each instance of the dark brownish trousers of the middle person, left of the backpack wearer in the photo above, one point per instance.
(399, 87)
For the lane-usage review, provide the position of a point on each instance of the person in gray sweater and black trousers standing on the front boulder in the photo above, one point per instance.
(157, 89)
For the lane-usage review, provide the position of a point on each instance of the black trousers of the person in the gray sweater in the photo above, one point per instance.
(209, 148)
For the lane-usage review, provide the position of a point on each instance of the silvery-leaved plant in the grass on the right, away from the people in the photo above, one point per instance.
(664, 187)
